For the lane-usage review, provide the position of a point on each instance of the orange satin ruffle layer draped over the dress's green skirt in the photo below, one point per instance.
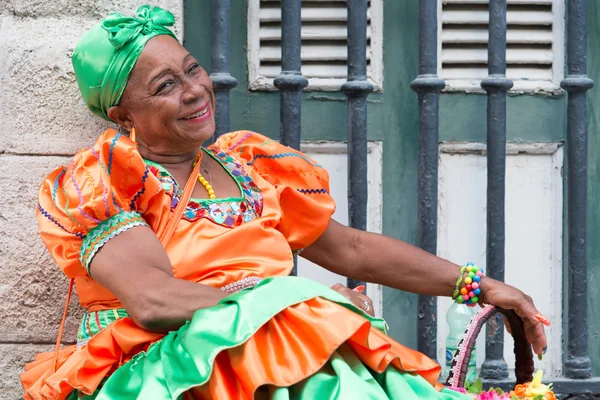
(290, 347)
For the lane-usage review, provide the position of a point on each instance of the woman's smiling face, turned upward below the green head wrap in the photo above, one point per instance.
(169, 99)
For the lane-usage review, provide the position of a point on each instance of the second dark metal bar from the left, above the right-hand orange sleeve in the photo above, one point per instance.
(291, 82)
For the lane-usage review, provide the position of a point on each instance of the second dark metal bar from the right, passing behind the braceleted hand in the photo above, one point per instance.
(496, 85)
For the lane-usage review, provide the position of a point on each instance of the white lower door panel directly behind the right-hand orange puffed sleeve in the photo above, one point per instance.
(333, 157)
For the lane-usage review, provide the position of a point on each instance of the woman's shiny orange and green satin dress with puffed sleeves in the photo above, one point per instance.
(272, 332)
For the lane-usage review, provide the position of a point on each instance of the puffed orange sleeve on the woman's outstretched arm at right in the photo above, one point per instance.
(302, 184)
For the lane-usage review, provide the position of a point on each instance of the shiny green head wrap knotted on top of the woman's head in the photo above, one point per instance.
(105, 56)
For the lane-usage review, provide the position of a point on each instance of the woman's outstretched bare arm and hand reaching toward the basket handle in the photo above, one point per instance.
(376, 258)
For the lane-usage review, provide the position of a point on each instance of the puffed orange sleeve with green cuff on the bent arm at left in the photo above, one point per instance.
(101, 193)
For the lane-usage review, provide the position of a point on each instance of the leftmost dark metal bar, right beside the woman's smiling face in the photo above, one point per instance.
(223, 82)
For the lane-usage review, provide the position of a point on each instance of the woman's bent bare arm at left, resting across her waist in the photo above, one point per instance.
(135, 268)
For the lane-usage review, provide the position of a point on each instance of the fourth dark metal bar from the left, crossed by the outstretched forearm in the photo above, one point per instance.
(428, 87)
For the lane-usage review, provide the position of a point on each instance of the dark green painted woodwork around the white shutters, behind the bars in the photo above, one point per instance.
(393, 118)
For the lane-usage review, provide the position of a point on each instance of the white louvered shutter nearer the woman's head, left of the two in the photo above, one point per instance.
(324, 41)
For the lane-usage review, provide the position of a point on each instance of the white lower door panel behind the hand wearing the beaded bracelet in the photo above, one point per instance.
(533, 230)
